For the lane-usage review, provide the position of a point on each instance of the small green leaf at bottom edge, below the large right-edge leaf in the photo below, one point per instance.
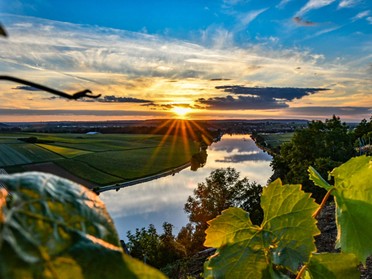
(333, 266)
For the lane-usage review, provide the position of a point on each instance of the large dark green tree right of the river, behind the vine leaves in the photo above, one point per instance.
(323, 145)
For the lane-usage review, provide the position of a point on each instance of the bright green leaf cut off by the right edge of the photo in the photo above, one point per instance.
(353, 197)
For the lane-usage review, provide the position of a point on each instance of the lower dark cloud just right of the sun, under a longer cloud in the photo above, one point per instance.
(241, 103)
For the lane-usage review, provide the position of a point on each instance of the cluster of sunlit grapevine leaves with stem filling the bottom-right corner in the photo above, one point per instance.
(285, 239)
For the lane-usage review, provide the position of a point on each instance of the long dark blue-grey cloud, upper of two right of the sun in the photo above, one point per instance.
(286, 94)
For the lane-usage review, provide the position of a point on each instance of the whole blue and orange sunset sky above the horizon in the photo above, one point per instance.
(196, 59)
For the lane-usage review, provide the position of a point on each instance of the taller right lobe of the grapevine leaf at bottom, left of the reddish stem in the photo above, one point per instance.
(288, 216)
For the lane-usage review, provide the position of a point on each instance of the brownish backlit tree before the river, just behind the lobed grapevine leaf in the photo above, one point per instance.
(221, 190)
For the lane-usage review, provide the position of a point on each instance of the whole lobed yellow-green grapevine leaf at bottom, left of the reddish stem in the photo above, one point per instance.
(285, 238)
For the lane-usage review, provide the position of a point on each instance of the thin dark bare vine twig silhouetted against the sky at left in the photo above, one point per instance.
(75, 96)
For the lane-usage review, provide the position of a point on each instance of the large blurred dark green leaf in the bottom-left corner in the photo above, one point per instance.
(53, 228)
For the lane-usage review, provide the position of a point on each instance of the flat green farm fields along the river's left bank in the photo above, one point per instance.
(100, 159)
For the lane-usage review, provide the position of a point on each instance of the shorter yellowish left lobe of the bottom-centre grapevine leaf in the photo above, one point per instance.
(241, 253)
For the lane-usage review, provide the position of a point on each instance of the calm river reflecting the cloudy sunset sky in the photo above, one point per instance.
(163, 199)
